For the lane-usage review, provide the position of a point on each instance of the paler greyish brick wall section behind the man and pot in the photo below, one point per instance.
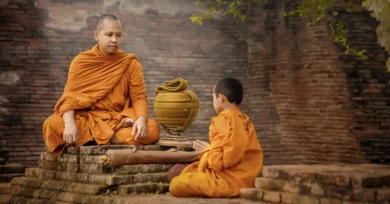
(40, 39)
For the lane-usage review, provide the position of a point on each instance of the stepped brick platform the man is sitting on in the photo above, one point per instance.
(78, 176)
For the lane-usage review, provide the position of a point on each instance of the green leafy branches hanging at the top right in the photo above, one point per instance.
(311, 10)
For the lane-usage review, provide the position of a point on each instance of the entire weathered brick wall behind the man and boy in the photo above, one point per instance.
(309, 102)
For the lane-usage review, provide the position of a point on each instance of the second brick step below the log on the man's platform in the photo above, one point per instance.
(105, 179)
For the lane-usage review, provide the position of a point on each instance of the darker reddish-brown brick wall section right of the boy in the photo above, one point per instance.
(312, 103)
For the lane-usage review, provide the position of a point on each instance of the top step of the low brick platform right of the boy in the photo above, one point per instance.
(356, 176)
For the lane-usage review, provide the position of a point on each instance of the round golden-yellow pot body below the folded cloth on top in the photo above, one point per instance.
(176, 111)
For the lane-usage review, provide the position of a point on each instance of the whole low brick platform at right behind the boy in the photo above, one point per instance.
(322, 184)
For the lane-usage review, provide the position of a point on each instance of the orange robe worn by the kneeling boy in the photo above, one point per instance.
(232, 161)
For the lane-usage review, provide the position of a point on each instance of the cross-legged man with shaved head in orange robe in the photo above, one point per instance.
(104, 100)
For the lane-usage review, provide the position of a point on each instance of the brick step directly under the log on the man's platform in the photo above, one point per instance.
(98, 168)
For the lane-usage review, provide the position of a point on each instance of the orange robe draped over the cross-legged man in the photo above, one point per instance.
(103, 90)
